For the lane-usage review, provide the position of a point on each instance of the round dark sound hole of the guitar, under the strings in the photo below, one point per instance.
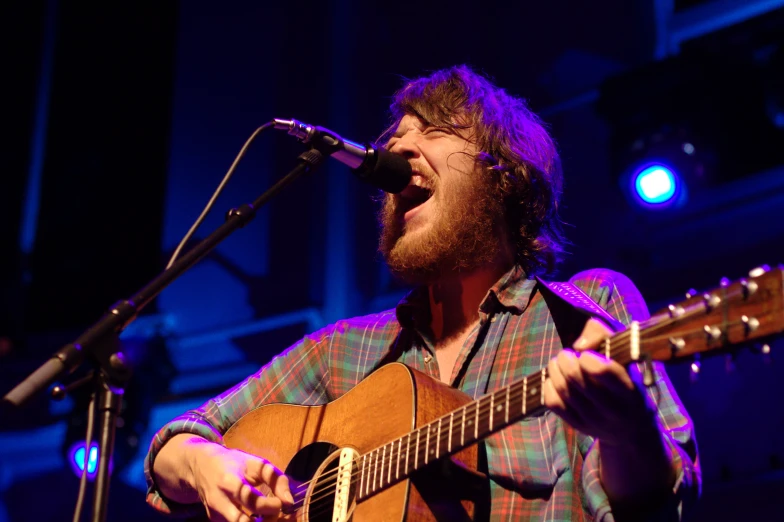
(302, 469)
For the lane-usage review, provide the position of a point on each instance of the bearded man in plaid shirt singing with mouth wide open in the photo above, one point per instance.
(477, 222)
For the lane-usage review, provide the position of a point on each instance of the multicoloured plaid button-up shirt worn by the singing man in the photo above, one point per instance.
(540, 468)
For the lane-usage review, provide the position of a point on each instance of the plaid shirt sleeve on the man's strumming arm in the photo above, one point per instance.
(297, 376)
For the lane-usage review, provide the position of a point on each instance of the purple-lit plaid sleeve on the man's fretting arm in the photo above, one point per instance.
(618, 295)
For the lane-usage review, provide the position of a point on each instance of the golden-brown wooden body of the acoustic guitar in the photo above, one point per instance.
(388, 404)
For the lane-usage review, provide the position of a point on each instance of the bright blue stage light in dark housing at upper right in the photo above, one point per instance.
(710, 119)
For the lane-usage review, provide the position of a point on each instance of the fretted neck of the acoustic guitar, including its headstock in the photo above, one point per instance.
(734, 313)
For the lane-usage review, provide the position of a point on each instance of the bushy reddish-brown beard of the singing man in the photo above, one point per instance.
(463, 233)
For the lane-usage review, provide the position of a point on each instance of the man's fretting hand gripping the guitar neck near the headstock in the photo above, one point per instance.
(596, 395)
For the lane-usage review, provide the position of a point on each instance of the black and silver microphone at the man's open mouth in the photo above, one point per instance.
(375, 165)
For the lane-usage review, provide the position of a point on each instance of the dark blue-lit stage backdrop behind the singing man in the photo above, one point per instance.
(120, 120)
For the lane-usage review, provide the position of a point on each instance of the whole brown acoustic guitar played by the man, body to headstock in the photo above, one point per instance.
(401, 445)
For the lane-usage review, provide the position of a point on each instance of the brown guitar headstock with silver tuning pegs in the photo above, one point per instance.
(731, 315)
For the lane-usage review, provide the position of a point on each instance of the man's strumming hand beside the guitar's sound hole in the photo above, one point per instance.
(235, 486)
